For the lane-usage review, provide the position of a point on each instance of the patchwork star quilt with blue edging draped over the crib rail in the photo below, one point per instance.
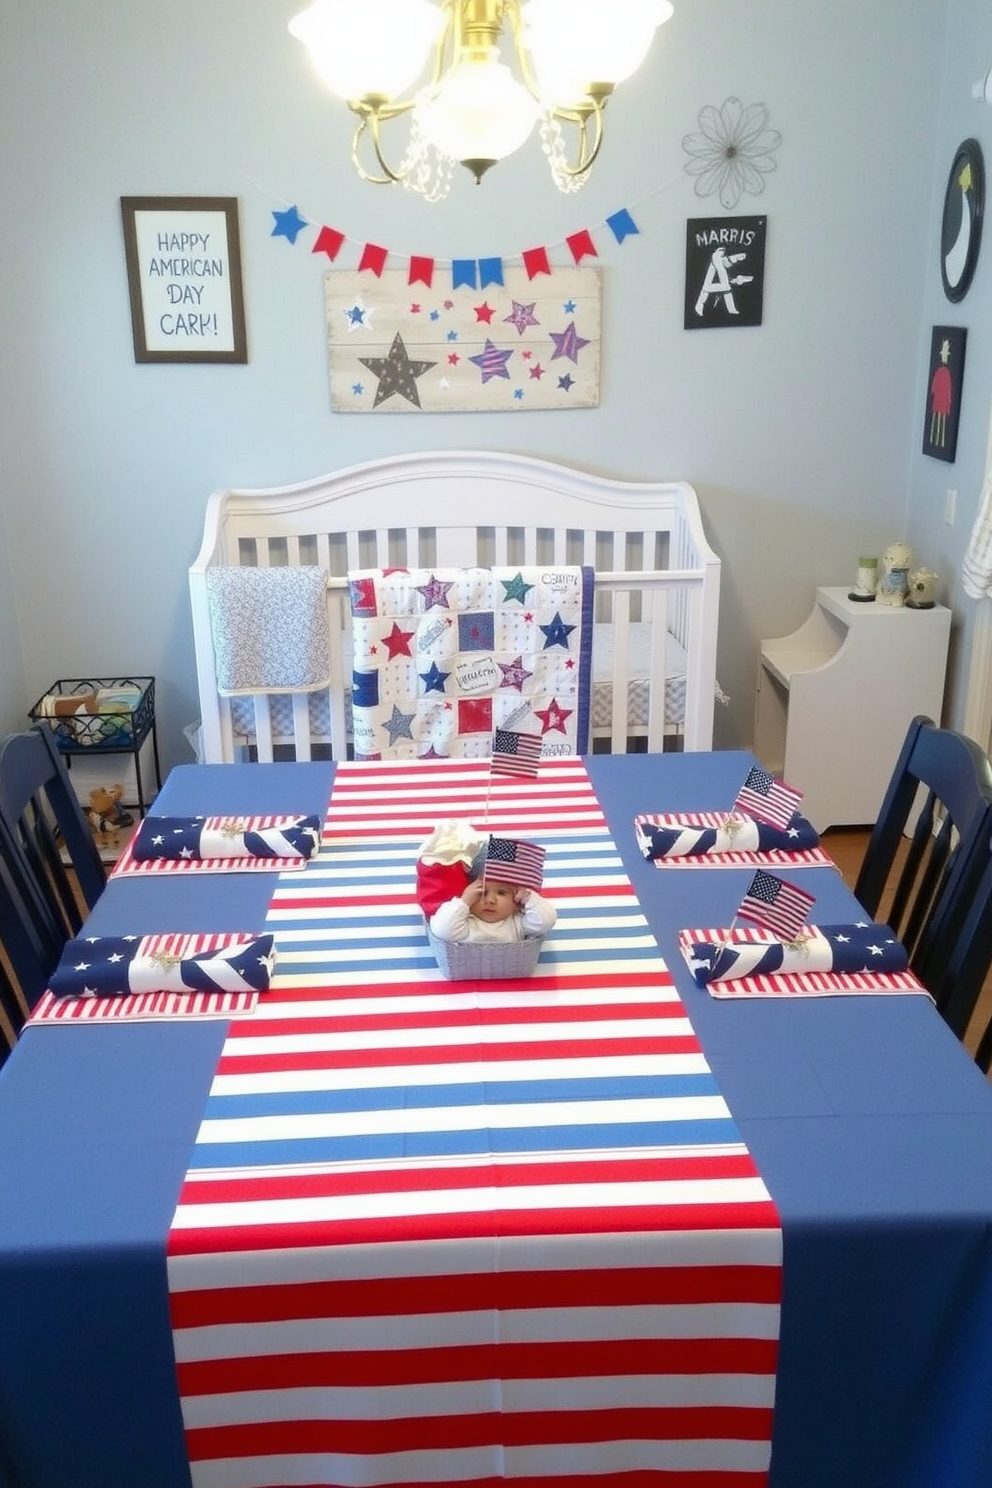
(444, 657)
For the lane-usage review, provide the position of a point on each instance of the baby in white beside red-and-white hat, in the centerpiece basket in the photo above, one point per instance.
(465, 898)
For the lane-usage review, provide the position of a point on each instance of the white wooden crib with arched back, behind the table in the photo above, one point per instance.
(657, 584)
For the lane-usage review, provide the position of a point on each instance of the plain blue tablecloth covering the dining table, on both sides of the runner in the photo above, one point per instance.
(865, 1118)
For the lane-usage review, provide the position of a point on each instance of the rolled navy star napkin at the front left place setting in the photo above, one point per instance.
(118, 966)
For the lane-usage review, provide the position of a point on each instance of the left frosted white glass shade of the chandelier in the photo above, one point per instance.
(368, 48)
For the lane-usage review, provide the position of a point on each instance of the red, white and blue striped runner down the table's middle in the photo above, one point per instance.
(444, 1233)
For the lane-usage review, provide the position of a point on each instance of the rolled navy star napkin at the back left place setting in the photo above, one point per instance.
(199, 838)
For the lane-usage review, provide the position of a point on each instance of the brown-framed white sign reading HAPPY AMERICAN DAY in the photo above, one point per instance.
(185, 279)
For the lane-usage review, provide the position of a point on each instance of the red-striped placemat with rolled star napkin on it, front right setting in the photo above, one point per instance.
(823, 962)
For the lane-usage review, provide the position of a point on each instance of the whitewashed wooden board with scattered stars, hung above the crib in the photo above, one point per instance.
(489, 341)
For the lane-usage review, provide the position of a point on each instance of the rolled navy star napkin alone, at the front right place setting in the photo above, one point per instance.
(817, 949)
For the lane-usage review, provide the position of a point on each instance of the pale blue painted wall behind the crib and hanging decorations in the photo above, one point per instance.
(801, 437)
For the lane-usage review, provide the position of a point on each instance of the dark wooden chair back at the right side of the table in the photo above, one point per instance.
(932, 874)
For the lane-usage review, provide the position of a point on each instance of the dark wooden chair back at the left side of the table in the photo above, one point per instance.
(41, 825)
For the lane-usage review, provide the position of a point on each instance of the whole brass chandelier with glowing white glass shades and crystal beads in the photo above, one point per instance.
(569, 54)
